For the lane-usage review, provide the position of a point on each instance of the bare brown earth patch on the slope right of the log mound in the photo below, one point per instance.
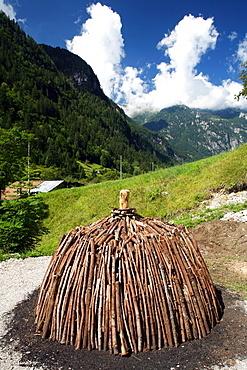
(223, 245)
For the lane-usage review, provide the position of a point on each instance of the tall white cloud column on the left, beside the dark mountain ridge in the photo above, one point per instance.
(101, 45)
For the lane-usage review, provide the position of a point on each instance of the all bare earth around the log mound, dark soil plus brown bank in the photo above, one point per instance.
(223, 245)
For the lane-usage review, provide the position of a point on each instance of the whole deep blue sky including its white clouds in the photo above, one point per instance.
(148, 54)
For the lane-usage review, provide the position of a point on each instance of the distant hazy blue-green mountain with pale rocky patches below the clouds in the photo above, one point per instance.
(198, 133)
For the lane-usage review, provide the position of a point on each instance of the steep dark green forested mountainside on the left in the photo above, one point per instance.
(55, 96)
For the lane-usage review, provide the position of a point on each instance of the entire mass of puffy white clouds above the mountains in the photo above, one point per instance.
(101, 45)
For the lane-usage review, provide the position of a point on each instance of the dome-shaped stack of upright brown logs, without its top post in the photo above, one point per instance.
(126, 283)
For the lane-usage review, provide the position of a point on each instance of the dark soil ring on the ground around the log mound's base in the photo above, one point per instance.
(226, 342)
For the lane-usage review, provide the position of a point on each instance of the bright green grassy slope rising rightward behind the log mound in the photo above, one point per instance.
(170, 194)
